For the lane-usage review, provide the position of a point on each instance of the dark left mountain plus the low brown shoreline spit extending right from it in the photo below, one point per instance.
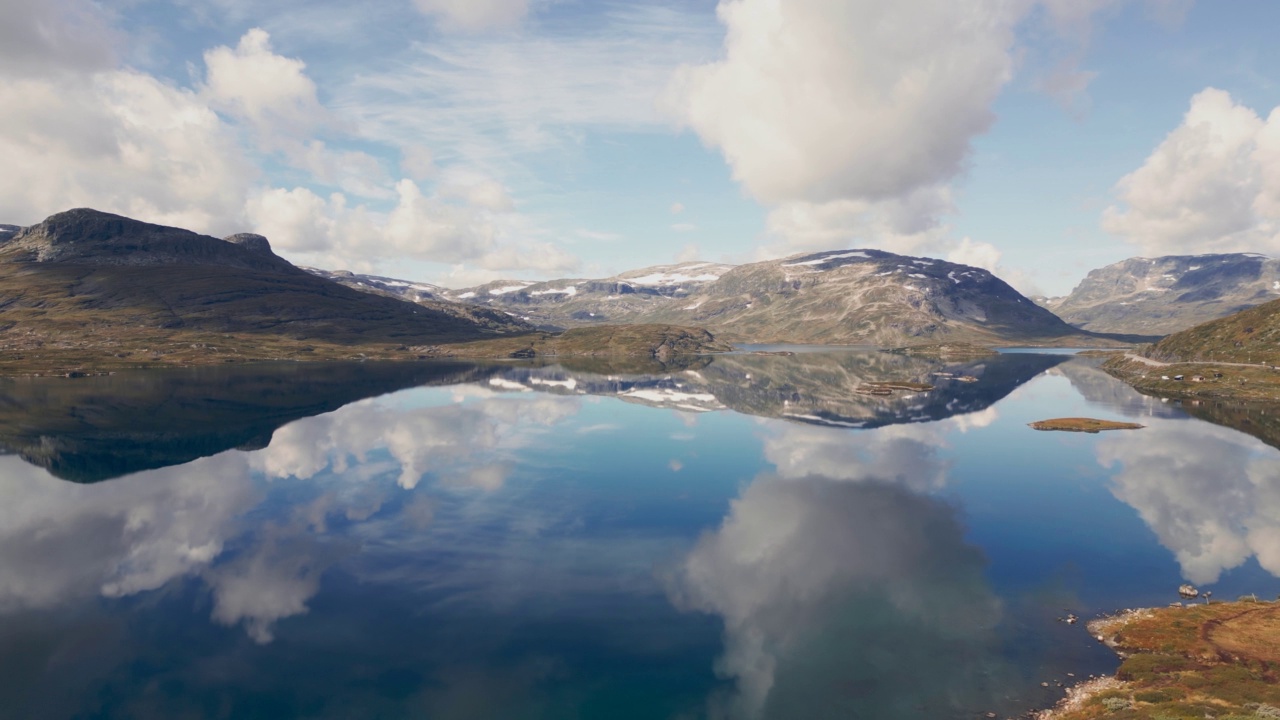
(90, 289)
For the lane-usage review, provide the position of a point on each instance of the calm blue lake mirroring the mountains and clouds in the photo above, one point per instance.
(743, 537)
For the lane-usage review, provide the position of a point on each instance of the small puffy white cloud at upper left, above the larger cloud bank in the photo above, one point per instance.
(269, 92)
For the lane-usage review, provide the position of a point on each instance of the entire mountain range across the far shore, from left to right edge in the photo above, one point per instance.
(100, 282)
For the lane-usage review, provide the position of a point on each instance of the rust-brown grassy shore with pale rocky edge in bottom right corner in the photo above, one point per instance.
(1203, 660)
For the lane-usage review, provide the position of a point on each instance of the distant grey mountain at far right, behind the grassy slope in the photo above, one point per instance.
(1163, 295)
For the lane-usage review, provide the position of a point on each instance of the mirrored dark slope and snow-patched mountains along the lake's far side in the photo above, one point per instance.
(99, 429)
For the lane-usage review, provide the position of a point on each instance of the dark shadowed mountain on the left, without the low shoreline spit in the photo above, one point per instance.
(86, 272)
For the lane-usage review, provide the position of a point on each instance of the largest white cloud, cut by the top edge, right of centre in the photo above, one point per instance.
(852, 101)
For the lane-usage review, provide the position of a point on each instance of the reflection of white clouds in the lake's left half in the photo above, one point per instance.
(63, 543)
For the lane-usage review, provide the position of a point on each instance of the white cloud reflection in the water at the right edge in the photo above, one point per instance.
(1212, 495)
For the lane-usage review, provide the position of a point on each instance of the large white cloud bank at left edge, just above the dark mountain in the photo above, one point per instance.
(124, 143)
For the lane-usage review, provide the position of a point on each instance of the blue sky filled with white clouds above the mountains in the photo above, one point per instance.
(463, 142)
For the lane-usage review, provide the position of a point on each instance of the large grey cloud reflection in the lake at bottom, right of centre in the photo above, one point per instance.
(900, 610)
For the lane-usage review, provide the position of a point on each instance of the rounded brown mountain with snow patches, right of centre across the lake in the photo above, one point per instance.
(866, 297)
